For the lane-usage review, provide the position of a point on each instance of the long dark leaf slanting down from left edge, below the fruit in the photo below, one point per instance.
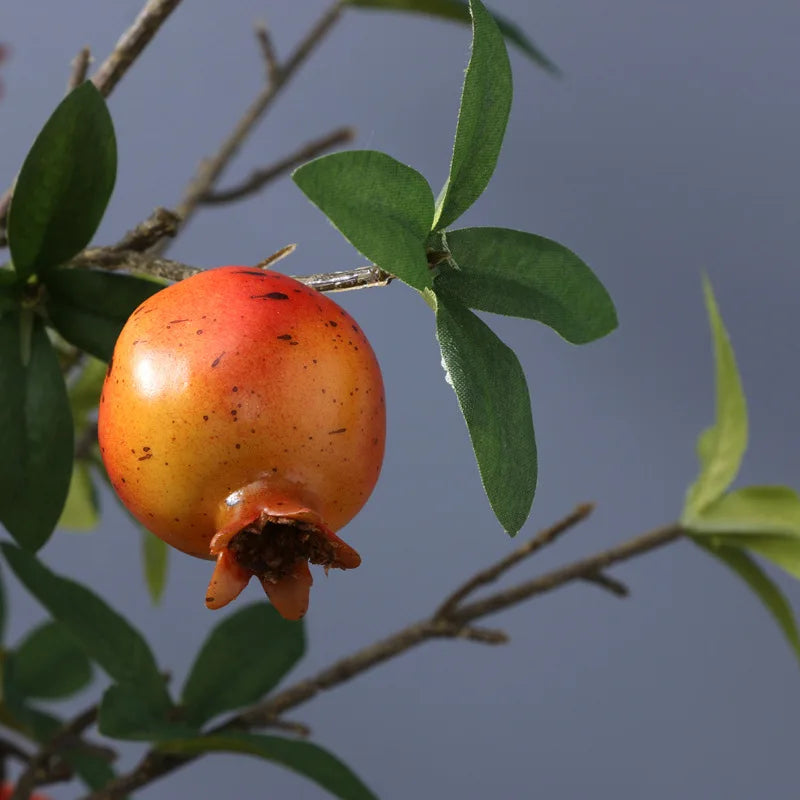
(105, 636)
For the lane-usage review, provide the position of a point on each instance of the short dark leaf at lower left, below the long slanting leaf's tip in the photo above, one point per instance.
(126, 713)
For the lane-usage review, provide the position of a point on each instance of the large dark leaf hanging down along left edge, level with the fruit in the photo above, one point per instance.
(35, 429)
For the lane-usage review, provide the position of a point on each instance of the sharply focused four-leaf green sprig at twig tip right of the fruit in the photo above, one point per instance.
(387, 211)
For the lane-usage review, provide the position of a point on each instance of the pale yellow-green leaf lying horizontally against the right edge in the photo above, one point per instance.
(754, 509)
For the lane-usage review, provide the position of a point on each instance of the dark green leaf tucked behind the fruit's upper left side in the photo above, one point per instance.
(89, 308)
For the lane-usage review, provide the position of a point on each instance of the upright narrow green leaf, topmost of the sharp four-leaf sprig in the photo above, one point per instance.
(482, 118)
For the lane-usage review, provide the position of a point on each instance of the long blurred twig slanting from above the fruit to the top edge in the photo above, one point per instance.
(210, 169)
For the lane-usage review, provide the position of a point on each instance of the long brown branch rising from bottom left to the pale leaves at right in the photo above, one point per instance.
(457, 624)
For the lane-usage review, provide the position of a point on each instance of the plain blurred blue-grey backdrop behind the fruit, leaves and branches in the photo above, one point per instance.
(668, 148)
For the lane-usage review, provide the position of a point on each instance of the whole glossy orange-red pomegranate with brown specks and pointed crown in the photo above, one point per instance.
(242, 419)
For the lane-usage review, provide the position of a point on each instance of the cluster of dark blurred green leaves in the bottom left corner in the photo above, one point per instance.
(53, 662)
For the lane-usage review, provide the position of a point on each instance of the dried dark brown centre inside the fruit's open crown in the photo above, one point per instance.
(270, 549)
